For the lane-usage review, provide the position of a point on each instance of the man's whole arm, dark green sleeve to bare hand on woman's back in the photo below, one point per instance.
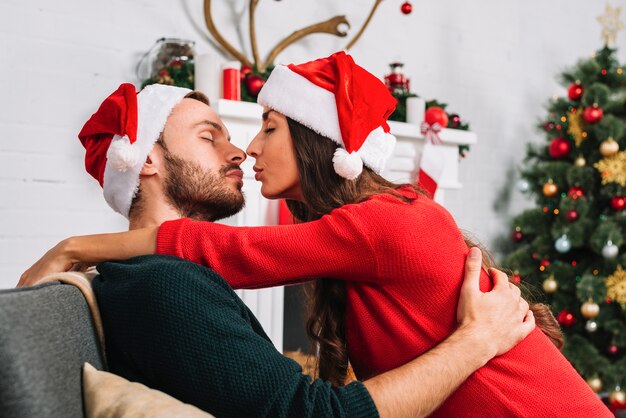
(178, 327)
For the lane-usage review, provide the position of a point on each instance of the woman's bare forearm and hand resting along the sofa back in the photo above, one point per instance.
(91, 249)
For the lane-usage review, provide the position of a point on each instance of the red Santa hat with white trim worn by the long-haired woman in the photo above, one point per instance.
(339, 100)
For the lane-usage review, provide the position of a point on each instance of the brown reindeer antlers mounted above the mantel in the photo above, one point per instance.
(330, 26)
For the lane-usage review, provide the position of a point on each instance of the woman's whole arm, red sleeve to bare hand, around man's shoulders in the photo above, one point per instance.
(248, 257)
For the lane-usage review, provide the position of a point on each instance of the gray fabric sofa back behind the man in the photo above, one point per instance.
(46, 334)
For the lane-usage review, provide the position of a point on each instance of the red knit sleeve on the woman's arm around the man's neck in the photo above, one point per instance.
(337, 245)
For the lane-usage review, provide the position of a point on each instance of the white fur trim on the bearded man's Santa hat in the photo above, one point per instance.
(154, 105)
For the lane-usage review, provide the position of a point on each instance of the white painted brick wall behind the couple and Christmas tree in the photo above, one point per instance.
(494, 63)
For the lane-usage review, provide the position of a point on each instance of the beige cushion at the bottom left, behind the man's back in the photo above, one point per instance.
(108, 395)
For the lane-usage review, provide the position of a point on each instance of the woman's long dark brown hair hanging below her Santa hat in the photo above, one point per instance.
(323, 190)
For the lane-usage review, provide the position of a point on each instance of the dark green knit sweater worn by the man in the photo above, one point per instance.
(178, 327)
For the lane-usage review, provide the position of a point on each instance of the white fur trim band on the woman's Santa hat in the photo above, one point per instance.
(296, 97)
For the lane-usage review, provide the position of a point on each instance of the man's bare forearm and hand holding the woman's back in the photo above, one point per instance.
(490, 324)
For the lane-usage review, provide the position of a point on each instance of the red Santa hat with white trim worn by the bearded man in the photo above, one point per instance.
(121, 134)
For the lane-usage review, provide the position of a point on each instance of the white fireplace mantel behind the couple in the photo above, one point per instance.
(243, 120)
